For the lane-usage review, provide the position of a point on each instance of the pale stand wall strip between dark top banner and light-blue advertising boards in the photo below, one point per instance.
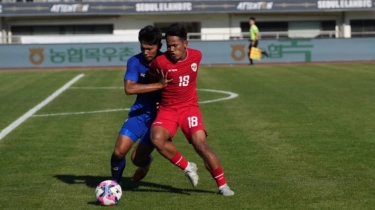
(213, 26)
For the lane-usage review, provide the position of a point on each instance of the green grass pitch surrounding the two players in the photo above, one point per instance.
(296, 137)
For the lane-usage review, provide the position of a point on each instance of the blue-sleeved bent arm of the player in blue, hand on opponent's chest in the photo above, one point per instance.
(131, 77)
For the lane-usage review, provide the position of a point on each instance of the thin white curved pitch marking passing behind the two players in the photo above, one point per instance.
(231, 95)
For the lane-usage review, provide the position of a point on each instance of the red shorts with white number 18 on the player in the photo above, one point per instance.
(189, 118)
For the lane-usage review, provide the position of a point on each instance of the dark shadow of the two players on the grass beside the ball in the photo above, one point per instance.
(127, 184)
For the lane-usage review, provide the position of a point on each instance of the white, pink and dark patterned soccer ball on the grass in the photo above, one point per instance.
(108, 193)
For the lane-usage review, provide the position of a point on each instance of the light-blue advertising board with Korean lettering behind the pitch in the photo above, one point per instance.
(214, 53)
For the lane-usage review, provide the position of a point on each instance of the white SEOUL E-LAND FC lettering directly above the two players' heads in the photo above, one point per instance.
(167, 7)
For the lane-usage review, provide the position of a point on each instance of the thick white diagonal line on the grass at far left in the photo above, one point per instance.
(32, 111)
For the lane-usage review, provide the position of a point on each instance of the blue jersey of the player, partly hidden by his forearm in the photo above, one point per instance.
(137, 71)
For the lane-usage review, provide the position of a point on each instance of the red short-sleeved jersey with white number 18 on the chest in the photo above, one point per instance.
(182, 89)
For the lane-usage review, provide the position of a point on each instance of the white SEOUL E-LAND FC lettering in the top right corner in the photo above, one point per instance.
(340, 4)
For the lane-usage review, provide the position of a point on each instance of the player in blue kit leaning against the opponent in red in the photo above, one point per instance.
(143, 111)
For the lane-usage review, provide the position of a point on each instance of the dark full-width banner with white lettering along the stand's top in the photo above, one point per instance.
(186, 7)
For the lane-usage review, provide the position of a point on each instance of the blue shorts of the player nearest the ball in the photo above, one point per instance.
(138, 127)
